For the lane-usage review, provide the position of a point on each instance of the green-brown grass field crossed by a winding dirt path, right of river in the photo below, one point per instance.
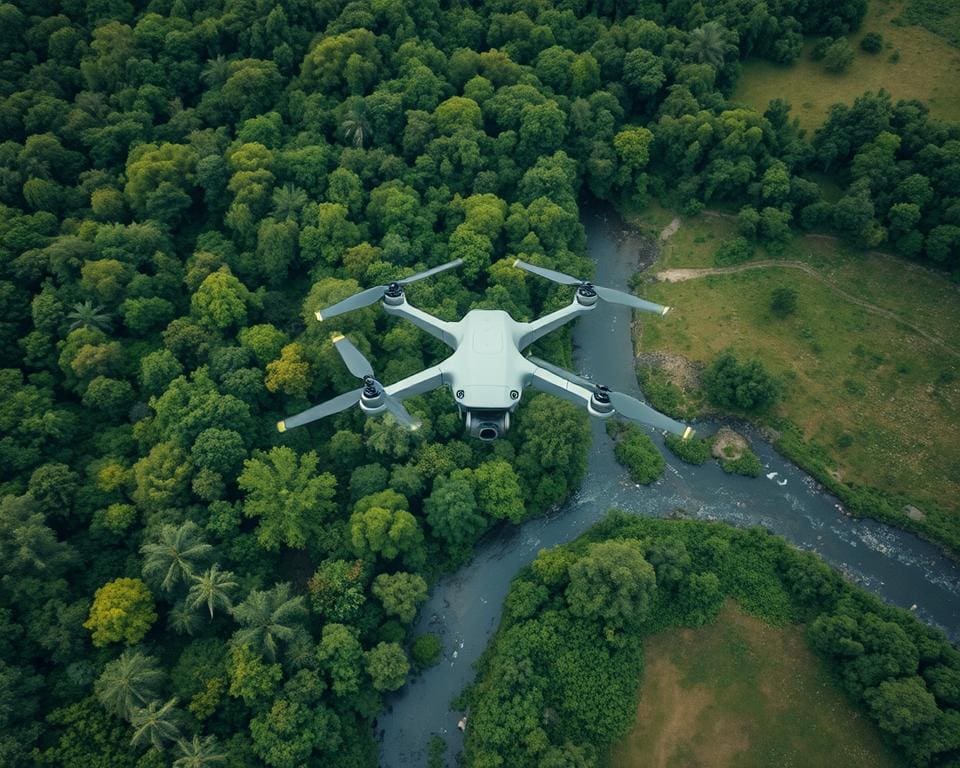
(882, 400)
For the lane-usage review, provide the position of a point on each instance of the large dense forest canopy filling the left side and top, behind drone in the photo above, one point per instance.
(184, 183)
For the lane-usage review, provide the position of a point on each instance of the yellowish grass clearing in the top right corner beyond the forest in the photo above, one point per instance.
(928, 69)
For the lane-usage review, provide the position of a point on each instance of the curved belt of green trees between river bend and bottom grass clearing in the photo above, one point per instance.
(558, 685)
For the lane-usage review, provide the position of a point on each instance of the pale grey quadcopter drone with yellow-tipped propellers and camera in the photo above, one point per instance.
(487, 372)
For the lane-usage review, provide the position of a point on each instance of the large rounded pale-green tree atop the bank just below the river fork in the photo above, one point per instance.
(612, 583)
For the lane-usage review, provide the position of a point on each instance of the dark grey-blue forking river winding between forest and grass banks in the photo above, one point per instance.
(464, 607)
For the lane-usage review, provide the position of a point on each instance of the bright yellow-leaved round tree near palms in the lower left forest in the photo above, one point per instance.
(122, 609)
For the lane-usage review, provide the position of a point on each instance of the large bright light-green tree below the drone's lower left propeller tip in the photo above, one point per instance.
(288, 497)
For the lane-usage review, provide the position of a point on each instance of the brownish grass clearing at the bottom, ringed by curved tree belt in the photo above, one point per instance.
(742, 693)
